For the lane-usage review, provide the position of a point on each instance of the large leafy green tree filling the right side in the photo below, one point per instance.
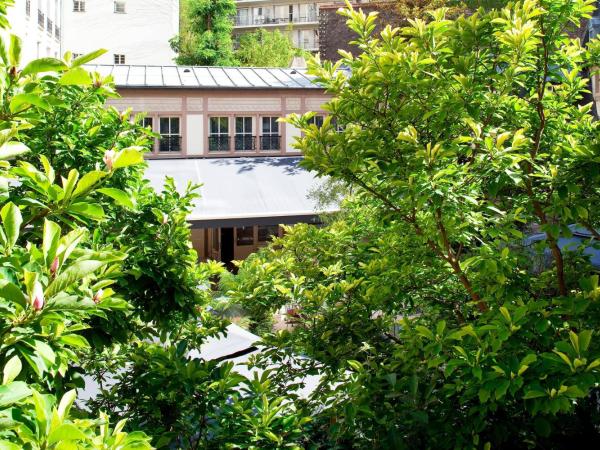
(422, 305)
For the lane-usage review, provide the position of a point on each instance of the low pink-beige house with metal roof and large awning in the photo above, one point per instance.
(220, 127)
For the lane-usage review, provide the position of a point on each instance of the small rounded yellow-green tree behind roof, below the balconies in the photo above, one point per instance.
(263, 48)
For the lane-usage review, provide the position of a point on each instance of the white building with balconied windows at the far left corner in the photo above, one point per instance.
(39, 25)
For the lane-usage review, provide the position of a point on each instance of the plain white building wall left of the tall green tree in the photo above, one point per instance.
(133, 31)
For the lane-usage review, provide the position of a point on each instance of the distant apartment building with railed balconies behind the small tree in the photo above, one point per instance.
(300, 20)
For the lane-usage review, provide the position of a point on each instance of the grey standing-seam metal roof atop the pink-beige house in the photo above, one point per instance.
(206, 77)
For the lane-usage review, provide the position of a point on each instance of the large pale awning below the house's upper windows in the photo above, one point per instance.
(243, 191)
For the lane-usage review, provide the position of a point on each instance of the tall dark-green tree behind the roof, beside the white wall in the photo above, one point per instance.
(206, 33)
